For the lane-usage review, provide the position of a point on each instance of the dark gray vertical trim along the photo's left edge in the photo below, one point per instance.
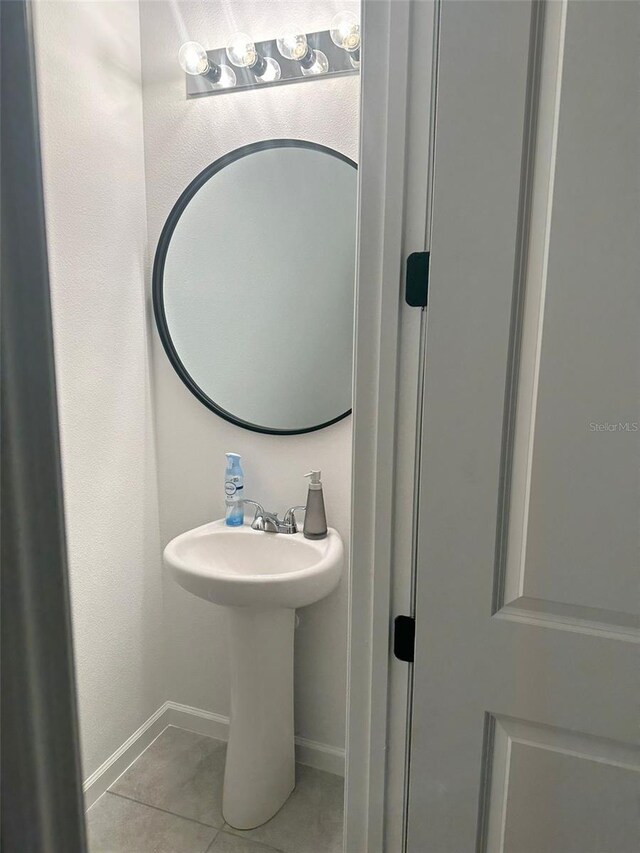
(42, 806)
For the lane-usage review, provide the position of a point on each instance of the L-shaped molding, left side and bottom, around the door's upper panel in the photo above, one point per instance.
(511, 598)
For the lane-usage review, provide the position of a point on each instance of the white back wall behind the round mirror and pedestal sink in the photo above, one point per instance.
(181, 138)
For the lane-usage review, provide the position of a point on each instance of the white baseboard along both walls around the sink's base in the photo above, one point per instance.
(309, 752)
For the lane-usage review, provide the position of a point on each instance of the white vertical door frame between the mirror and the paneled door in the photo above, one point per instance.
(395, 164)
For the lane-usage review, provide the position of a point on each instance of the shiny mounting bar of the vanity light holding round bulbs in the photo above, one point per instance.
(291, 71)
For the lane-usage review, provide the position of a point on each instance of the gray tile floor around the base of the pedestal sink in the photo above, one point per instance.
(170, 801)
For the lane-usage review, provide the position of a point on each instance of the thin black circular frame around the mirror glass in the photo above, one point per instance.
(158, 275)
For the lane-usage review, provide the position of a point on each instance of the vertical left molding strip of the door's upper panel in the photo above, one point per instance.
(539, 163)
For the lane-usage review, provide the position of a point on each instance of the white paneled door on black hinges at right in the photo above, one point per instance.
(526, 676)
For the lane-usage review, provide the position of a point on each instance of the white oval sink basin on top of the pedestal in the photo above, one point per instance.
(241, 567)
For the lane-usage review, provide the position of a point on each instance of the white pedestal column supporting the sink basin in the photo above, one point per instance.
(260, 767)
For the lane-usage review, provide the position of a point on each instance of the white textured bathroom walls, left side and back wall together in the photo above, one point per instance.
(130, 654)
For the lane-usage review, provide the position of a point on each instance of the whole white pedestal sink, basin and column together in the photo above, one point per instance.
(261, 578)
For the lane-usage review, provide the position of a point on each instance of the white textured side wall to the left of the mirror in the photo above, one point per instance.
(91, 125)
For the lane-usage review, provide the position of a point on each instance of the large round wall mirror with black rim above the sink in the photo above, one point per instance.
(253, 286)
